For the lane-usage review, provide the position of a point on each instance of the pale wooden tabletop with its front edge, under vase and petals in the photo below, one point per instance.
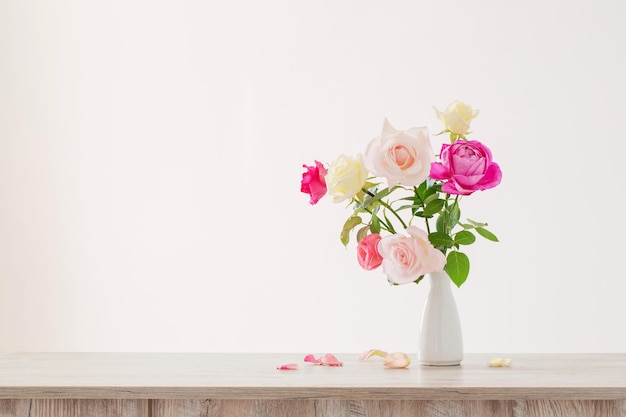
(254, 376)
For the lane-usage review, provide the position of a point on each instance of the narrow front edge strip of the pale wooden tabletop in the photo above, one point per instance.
(313, 393)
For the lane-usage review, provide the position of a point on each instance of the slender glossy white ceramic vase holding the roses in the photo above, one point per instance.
(441, 338)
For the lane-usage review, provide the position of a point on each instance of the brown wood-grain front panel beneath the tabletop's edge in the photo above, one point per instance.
(311, 408)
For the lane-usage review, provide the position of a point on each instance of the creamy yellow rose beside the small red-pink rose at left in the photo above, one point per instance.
(345, 178)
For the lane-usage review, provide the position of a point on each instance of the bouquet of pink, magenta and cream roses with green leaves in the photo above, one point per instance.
(399, 180)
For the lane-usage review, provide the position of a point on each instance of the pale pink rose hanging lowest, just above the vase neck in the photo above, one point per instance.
(406, 258)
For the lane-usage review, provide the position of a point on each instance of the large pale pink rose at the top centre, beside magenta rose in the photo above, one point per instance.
(403, 157)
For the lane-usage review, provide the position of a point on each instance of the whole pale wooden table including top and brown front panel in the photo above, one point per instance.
(214, 384)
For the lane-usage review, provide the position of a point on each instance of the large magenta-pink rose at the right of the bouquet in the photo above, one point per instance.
(467, 167)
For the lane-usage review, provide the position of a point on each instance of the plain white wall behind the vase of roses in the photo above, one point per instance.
(151, 153)
